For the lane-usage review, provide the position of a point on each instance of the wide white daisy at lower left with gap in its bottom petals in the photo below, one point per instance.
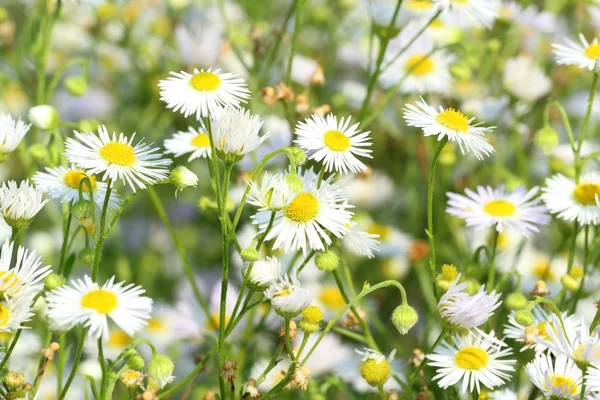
(85, 302)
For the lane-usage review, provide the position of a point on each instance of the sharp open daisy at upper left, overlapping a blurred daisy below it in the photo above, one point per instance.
(117, 158)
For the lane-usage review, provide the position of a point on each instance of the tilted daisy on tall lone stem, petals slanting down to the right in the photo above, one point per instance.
(451, 123)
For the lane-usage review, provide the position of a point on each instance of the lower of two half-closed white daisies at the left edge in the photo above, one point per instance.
(19, 204)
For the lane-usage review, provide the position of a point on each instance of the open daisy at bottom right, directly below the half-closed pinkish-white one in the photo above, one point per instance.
(475, 359)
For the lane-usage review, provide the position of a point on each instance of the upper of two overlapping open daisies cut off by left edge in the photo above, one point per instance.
(26, 277)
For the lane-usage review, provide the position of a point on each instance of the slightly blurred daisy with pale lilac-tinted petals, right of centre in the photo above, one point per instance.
(518, 210)
